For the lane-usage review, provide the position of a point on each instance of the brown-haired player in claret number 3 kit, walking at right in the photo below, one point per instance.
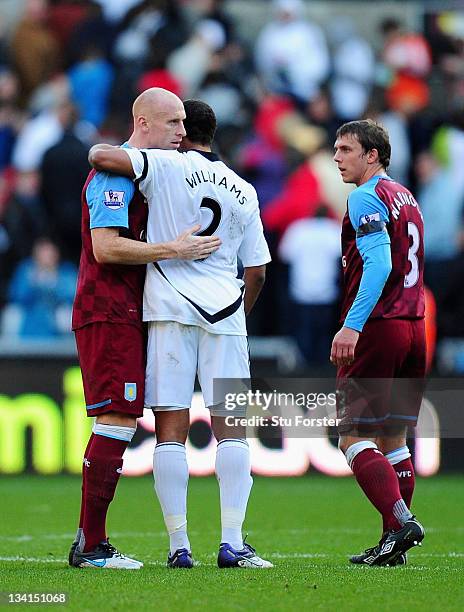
(380, 350)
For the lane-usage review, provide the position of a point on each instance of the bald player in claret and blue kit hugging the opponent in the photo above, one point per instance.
(107, 319)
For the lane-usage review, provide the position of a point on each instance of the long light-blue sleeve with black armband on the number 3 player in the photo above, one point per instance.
(369, 216)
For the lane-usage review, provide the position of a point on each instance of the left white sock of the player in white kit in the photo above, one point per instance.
(170, 471)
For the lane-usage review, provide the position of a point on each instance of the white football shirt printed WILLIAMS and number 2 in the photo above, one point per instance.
(182, 190)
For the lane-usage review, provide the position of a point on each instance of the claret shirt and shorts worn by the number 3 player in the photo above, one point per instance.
(381, 212)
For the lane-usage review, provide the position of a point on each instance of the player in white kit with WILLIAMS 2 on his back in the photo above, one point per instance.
(196, 315)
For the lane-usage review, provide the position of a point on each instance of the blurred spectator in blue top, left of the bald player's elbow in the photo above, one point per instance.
(43, 288)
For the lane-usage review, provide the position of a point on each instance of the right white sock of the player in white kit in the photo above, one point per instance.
(233, 473)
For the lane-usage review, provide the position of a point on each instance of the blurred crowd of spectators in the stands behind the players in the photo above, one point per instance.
(70, 69)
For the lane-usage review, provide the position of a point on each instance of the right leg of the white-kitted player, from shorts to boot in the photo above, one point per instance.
(220, 357)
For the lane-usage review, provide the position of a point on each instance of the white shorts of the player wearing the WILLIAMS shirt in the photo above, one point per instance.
(177, 352)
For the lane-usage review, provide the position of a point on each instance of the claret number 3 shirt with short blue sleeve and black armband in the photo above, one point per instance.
(386, 212)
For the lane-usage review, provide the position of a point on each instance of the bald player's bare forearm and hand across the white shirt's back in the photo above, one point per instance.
(111, 248)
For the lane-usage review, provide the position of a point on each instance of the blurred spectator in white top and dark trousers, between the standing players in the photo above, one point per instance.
(311, 248)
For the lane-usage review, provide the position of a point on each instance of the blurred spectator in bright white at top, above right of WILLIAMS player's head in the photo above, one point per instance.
(291, 53)
